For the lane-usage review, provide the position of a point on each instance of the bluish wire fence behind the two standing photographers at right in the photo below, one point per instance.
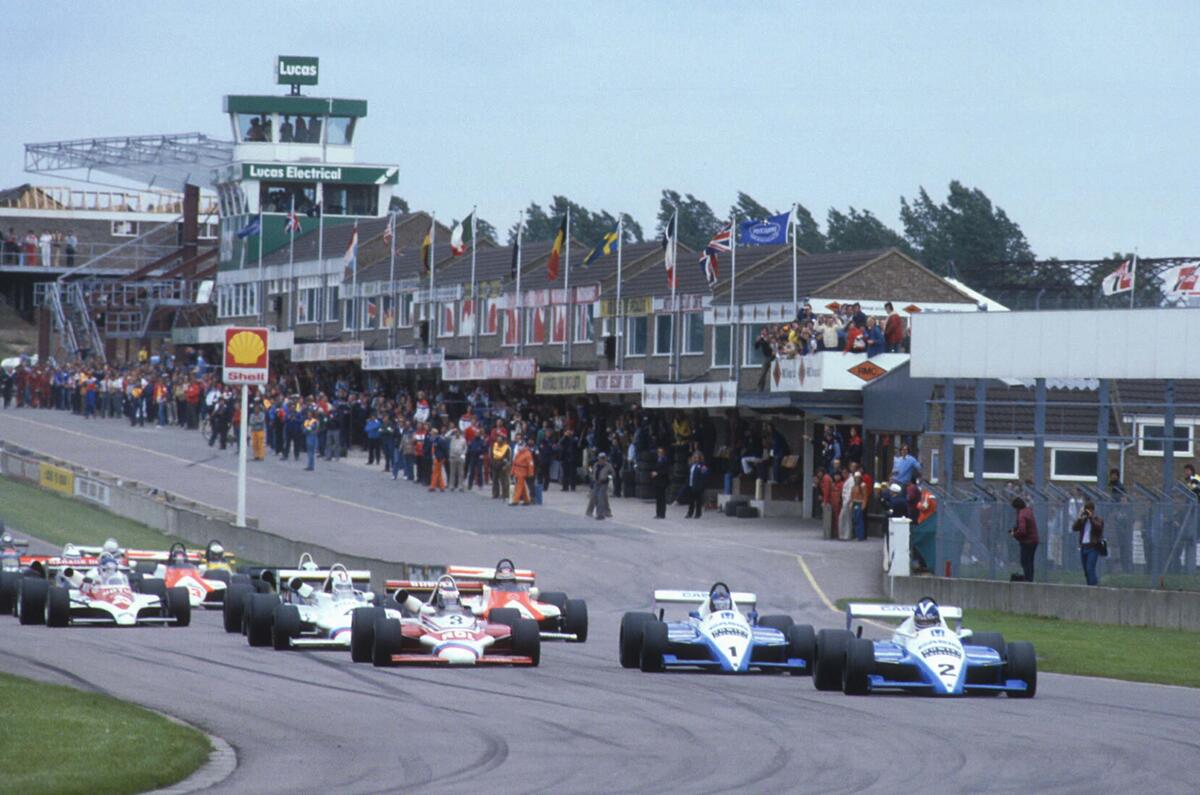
(1153, 537)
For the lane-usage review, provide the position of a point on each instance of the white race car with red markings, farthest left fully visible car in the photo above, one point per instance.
(103, 595)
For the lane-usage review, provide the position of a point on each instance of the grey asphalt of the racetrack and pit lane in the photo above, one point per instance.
(579, 724)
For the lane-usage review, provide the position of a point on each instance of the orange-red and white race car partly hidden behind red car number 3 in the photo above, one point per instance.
(507, 588)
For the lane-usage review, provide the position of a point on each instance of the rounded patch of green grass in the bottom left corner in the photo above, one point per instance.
(62, 740)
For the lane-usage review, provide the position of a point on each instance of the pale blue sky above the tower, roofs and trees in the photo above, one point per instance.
(1081, 119)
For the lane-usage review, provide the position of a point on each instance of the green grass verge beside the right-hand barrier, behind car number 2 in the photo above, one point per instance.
(1132, 654)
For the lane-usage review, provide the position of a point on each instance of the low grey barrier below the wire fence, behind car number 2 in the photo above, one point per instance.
(1095, 605)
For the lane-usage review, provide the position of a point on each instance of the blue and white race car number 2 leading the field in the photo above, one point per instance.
(923, 656)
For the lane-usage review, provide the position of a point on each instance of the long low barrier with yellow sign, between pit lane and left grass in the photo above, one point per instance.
(193, 522)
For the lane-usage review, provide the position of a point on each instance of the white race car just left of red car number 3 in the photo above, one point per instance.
(313, 607)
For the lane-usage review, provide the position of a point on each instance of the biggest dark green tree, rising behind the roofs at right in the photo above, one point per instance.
(963, 235)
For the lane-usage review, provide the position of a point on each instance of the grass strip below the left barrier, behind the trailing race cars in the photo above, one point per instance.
(61, 521)
